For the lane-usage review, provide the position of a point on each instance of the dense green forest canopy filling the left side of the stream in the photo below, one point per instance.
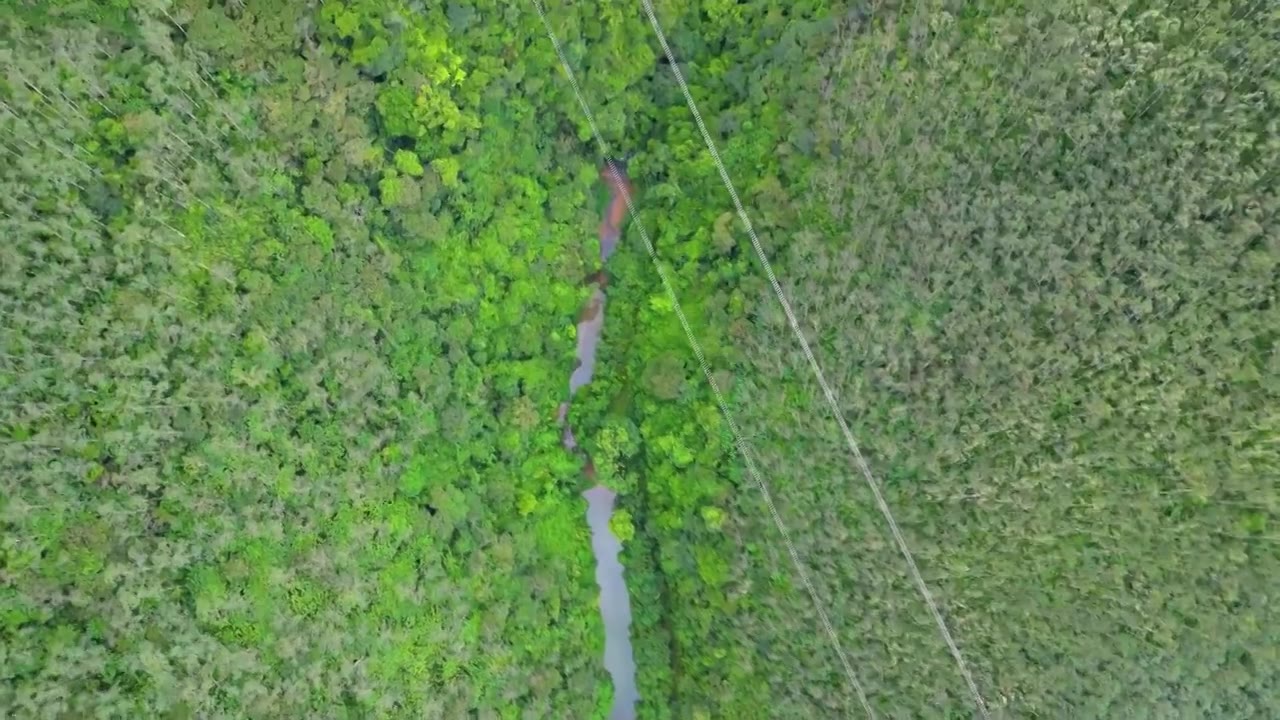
(278, 389)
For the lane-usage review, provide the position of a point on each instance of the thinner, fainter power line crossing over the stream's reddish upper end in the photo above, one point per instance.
(720, 399)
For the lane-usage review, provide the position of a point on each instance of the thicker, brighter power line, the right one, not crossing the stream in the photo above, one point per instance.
(822, 380)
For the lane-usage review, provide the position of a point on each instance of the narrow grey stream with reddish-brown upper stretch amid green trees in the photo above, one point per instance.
(615, 604)
